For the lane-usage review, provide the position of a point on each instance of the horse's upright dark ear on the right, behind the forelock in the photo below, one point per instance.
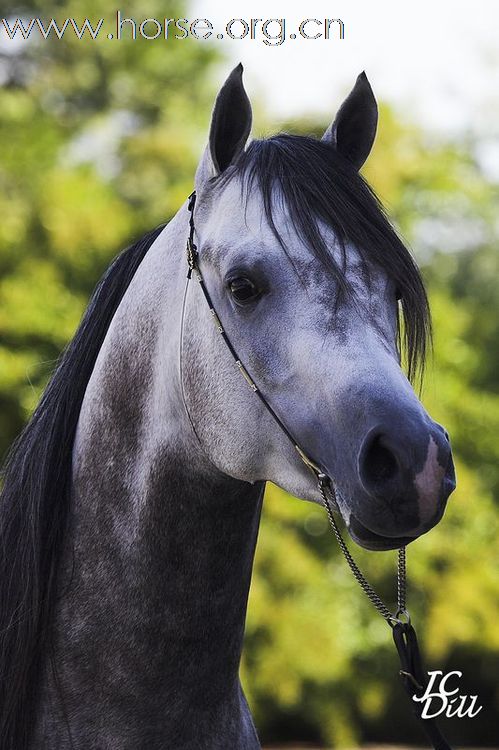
(354, 128)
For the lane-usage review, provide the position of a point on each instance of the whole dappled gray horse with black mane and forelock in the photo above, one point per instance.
(132, 500)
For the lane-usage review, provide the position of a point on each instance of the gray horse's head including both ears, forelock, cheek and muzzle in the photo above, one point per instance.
(317, 293)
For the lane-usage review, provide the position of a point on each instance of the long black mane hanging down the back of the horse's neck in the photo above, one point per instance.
(34, 506)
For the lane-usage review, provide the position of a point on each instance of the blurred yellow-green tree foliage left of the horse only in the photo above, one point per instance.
(100, 141)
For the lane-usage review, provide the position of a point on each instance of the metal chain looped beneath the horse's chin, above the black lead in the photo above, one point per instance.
(366, 587)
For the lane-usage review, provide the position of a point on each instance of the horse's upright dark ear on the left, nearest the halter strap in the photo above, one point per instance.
(230, 128)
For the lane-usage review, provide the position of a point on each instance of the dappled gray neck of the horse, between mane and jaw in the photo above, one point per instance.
(161, 543)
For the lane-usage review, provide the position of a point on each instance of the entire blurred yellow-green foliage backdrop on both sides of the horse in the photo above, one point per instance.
(100, 143)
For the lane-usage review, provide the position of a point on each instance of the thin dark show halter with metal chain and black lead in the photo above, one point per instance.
(412, 672)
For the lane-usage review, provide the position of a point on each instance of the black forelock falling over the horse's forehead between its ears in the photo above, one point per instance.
(316, 182)
